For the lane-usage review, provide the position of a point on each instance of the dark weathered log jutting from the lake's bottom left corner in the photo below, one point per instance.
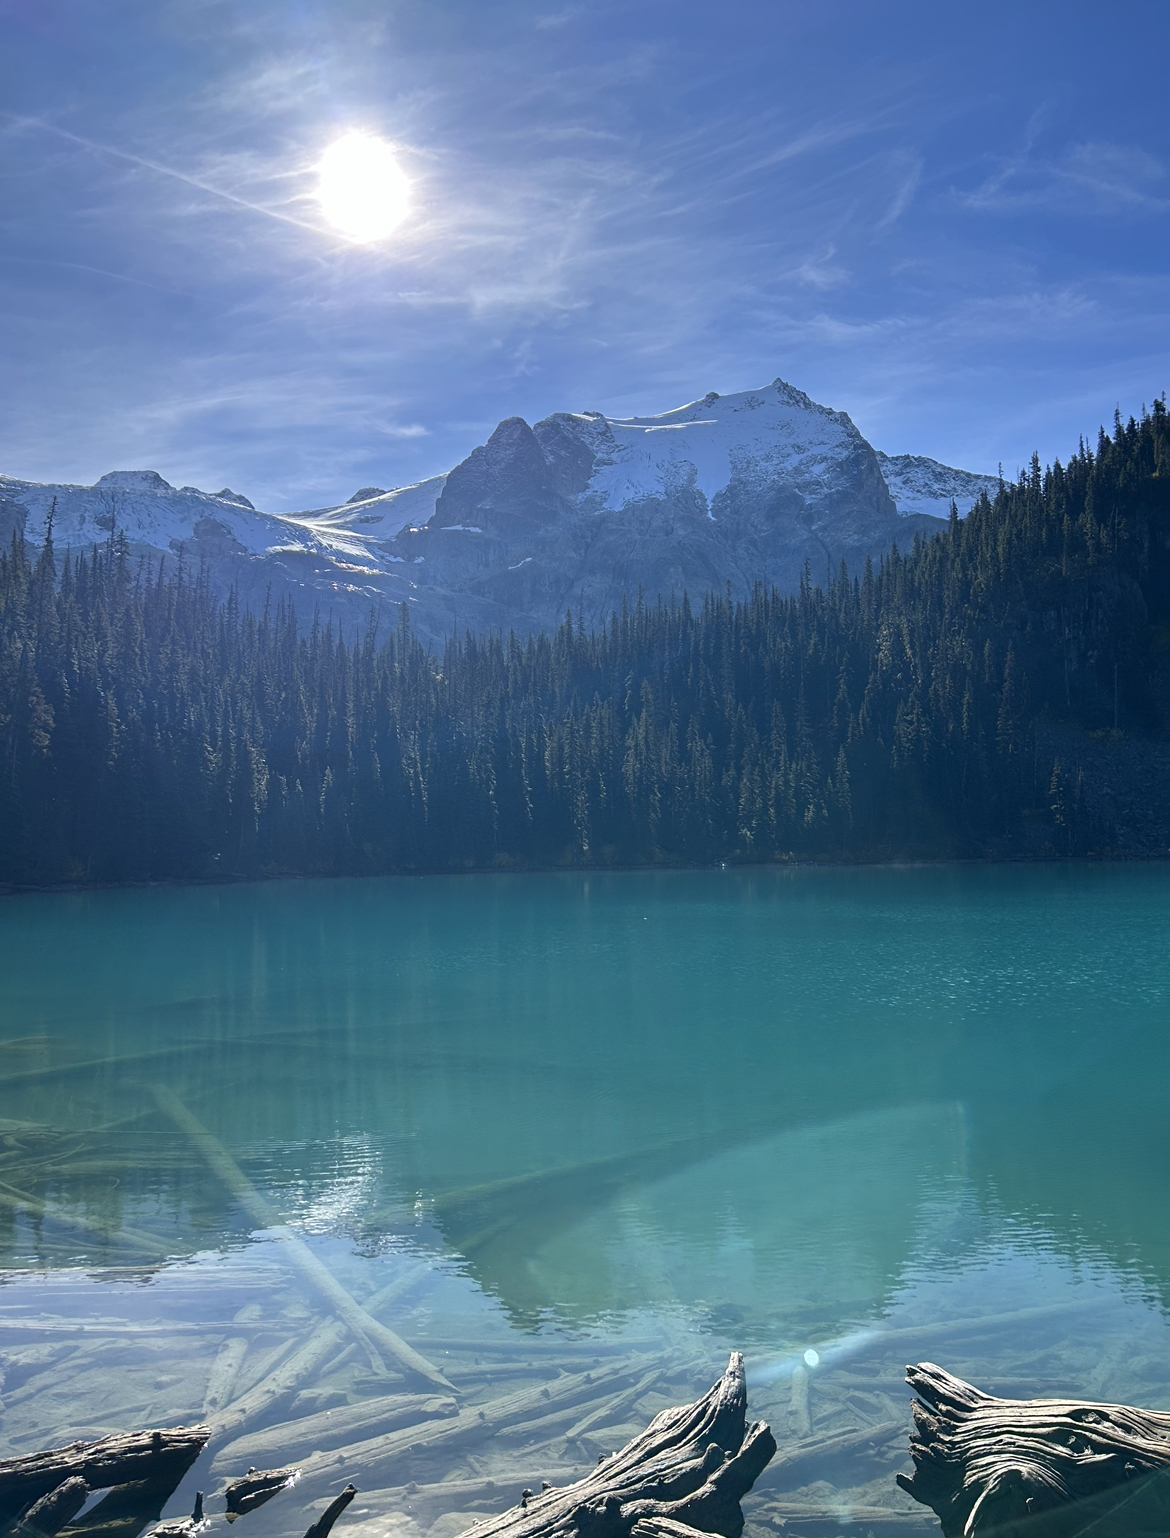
(156, 1457)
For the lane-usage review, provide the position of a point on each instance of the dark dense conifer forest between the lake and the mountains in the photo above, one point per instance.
(150, 731)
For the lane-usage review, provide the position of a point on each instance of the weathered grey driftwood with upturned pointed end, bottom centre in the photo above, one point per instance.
(683, 1476)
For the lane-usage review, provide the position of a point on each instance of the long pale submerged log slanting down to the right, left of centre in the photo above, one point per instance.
(374, 1336)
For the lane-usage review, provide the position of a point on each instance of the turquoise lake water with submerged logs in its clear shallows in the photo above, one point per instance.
(559, 1124)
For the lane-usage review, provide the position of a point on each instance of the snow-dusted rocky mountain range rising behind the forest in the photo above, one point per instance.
(573, 514)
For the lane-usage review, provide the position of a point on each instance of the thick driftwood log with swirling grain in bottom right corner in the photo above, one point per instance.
(1035, 1468)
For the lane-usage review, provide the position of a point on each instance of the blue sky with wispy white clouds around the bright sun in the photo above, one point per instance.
(951, 221)
